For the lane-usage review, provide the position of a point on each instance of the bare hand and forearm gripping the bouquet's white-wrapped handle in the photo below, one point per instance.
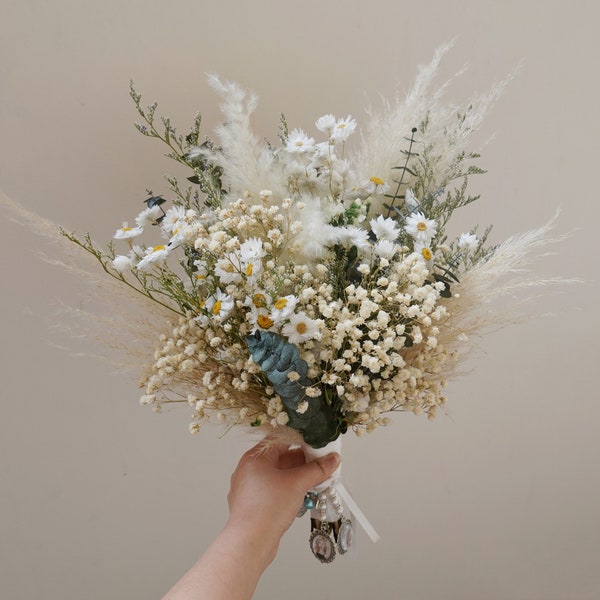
(267, 488)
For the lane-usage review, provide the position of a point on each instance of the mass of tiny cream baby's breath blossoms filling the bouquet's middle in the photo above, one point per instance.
(375, 343)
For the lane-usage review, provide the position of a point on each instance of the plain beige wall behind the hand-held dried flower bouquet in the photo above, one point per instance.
(498, 499)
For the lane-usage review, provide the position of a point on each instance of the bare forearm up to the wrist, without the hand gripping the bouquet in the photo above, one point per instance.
(231, 566)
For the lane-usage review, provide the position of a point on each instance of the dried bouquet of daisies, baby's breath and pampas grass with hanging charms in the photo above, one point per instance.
(311, 288)
